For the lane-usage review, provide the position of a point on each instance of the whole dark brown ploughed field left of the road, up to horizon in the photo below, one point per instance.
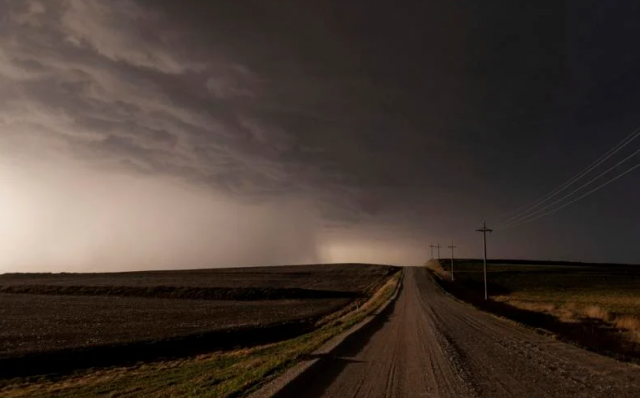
(103, 319)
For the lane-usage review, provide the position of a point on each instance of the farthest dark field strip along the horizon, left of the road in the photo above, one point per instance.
(262, 283)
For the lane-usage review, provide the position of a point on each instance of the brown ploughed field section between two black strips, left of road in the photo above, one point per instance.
(60, 322)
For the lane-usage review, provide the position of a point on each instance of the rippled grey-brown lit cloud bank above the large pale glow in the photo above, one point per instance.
(116, 85)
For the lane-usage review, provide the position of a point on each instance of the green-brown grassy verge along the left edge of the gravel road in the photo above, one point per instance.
(223, 374)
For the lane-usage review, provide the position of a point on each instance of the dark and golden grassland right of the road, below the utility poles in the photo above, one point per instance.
(593, 306)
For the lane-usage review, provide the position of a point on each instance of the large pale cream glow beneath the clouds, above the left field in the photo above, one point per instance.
(66, 218)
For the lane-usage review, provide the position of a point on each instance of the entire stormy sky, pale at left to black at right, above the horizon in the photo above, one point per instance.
(385, 126)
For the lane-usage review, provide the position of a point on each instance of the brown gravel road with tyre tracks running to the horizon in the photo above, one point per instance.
(429, 345)
